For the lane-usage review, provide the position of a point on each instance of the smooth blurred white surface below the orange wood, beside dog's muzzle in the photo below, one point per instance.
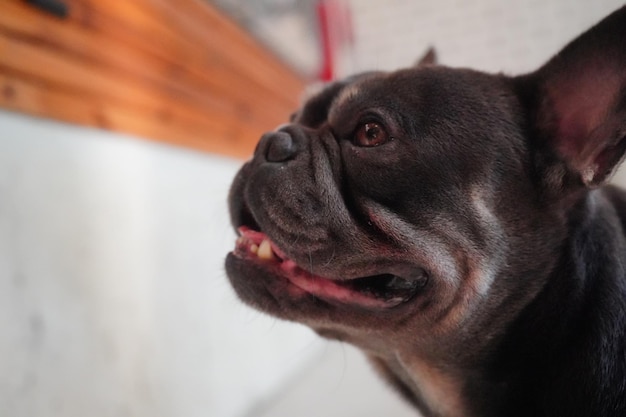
(113, 299)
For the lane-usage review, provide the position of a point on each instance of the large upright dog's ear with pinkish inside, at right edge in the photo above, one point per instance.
(578, 103)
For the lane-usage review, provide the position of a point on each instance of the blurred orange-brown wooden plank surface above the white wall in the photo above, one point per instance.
(172, 71)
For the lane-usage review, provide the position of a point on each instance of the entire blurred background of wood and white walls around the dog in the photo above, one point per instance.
(122, 124)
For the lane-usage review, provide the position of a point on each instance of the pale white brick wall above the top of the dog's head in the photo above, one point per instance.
(489, 35)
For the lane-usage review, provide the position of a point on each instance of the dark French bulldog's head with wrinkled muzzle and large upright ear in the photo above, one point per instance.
(430, 201)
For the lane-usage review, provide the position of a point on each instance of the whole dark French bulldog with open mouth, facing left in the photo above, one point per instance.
(456, 227)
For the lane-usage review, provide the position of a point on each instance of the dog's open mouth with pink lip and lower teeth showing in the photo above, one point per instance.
(375, 291)
